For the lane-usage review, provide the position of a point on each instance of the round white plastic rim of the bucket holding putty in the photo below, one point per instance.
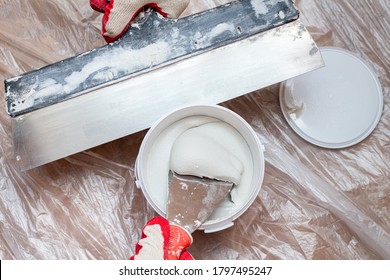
(224, 220)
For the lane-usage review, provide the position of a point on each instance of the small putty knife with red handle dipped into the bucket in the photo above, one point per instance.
(191, 201)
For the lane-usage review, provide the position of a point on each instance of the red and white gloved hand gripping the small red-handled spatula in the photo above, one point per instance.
(155, 243)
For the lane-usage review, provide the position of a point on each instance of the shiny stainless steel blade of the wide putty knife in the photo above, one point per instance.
(131, 105)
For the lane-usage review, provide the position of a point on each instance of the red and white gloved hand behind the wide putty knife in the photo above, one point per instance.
(118, 14)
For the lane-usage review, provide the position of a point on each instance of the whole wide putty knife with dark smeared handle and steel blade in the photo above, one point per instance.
(163, 64)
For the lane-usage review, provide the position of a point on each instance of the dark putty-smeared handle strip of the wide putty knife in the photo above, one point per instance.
(180, 39)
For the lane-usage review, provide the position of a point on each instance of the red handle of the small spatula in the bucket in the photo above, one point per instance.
(179, 240)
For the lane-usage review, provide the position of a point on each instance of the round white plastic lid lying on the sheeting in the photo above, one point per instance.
(335, 106)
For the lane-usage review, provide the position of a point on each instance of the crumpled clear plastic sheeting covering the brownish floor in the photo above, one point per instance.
(315, 203)
